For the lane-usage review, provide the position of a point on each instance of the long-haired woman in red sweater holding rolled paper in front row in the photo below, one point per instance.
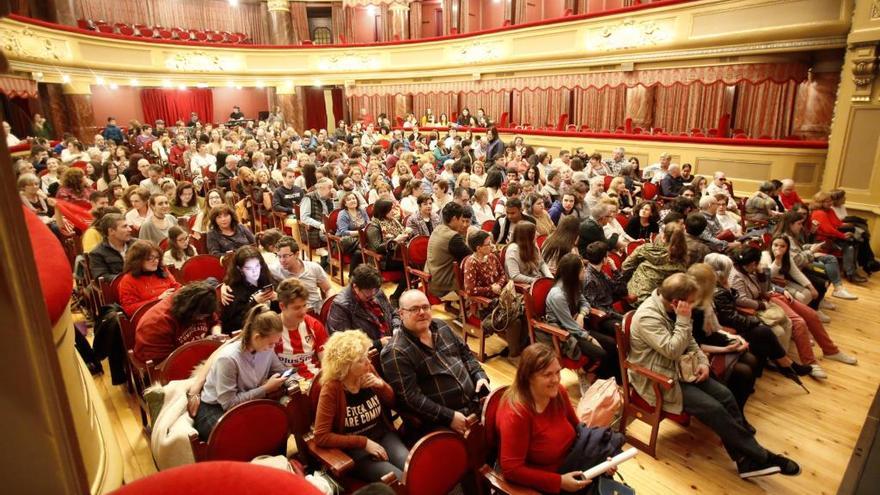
(537, 425)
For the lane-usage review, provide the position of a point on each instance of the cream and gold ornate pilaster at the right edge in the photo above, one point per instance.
(855, 136)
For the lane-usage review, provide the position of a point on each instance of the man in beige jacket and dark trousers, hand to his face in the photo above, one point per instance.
(662, 331)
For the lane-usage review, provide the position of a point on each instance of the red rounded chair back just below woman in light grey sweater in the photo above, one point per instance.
(250, 429)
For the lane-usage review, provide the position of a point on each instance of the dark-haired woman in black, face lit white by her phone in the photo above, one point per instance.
(249, 279)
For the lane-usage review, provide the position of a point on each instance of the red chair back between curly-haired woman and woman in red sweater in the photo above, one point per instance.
(436, 464)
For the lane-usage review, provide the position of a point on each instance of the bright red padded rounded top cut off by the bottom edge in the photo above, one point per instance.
(220, 478)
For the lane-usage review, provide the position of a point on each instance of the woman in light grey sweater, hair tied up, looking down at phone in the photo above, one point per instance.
(241, 372)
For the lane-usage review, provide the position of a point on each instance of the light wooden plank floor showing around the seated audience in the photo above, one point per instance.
(818, 430)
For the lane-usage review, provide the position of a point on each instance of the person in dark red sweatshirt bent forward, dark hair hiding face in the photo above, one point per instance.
(187, 315)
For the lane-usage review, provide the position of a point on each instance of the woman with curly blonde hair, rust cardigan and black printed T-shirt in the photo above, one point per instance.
(351, 407)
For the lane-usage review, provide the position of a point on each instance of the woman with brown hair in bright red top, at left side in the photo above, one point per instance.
(143, 277)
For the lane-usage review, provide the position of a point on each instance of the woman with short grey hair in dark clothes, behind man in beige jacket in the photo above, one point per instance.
(763, 343)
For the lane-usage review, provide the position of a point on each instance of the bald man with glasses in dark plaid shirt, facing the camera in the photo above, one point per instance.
(431, 369)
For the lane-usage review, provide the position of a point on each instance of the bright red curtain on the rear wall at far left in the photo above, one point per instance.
(171, 105)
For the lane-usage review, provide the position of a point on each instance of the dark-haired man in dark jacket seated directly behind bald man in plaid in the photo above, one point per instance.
(363, 306)
